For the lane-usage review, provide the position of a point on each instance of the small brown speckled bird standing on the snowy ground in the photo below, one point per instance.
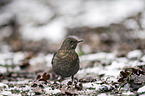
(65, 61)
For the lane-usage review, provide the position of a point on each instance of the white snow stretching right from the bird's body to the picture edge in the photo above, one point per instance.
(113, 69)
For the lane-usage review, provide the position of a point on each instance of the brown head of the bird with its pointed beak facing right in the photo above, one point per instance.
(70, 43)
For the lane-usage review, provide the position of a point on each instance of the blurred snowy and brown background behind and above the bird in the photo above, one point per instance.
(41, 25)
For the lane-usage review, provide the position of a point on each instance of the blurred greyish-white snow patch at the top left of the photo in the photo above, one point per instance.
(31, 11)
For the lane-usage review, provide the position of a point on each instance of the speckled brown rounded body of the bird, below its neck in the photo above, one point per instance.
(66, 63)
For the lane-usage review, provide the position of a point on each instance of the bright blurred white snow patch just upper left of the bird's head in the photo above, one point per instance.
(53, 31)
